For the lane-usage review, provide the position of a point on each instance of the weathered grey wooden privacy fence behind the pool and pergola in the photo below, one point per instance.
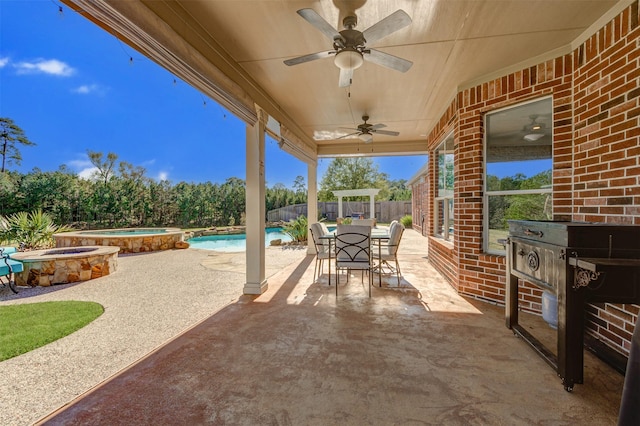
(386, 211)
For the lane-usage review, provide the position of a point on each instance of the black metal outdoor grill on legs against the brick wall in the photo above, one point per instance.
(580, 263)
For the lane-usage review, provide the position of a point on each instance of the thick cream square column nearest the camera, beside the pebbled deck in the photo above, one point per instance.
(255, 202)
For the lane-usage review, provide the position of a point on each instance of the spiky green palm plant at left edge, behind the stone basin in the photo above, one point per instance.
(31, 230)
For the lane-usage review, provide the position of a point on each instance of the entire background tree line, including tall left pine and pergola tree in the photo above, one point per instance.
(119, 194)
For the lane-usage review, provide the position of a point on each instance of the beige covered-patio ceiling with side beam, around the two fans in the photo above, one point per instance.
(453, 44)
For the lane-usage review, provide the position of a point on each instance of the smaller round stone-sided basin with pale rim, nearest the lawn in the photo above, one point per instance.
(65, 265)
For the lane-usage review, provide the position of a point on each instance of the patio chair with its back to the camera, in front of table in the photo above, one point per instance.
(353, 251)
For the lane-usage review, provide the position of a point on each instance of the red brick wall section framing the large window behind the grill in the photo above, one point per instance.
(478, 274)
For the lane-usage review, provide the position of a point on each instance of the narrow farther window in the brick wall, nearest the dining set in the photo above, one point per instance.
(443, 209)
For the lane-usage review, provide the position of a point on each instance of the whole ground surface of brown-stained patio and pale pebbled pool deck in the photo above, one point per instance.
(198, 352)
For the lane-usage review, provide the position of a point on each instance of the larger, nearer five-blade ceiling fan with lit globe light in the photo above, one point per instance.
(350, 45)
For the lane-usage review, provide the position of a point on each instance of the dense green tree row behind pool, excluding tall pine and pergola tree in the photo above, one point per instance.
(129, 198)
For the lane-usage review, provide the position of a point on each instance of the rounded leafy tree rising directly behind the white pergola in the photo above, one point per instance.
(352, 173)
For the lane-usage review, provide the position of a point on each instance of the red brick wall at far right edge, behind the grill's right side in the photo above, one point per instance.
(606, 148)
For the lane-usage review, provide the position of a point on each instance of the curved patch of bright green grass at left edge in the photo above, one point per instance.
(26, 327)
